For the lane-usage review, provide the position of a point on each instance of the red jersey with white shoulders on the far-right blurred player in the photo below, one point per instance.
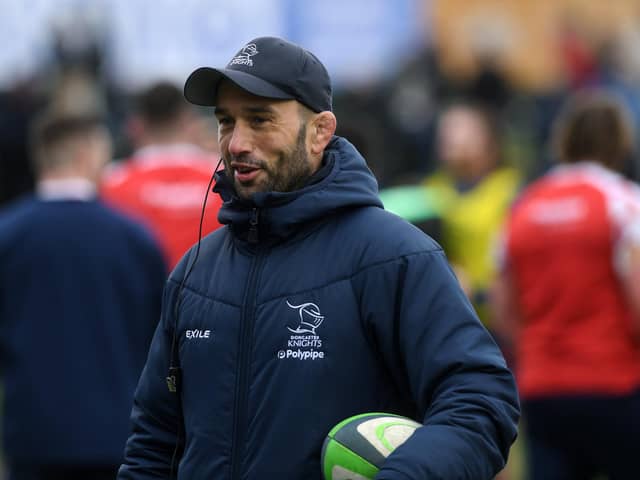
(564, 250)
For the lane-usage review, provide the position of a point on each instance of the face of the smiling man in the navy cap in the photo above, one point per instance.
(262, 142)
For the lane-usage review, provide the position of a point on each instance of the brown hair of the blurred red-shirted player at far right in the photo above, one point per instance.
(593, 125)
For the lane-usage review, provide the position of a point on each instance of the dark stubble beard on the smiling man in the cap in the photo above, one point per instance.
(290, 172)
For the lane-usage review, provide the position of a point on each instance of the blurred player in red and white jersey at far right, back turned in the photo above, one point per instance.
(569, 293)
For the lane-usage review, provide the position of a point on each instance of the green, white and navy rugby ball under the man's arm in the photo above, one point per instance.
(356, 448)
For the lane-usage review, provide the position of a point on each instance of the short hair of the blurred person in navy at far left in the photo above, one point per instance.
(52, 130)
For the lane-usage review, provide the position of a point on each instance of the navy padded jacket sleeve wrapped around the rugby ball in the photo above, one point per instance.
(446, 364)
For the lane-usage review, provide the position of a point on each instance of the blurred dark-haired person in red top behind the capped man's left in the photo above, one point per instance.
(165, 182)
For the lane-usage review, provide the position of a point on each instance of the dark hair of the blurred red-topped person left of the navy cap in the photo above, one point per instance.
(161, 105)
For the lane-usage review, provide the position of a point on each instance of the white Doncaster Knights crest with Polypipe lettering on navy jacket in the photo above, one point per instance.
(304, 343)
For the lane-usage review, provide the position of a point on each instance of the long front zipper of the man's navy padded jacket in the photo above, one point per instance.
(245, 342)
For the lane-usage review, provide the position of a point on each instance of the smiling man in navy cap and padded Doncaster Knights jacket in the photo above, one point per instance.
(310, 305)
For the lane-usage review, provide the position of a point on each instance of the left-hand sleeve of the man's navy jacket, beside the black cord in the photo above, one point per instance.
(155, 417)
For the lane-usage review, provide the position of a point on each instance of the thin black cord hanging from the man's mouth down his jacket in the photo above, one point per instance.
(174, 378)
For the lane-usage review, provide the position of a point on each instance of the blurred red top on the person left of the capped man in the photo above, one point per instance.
(164, 188)
